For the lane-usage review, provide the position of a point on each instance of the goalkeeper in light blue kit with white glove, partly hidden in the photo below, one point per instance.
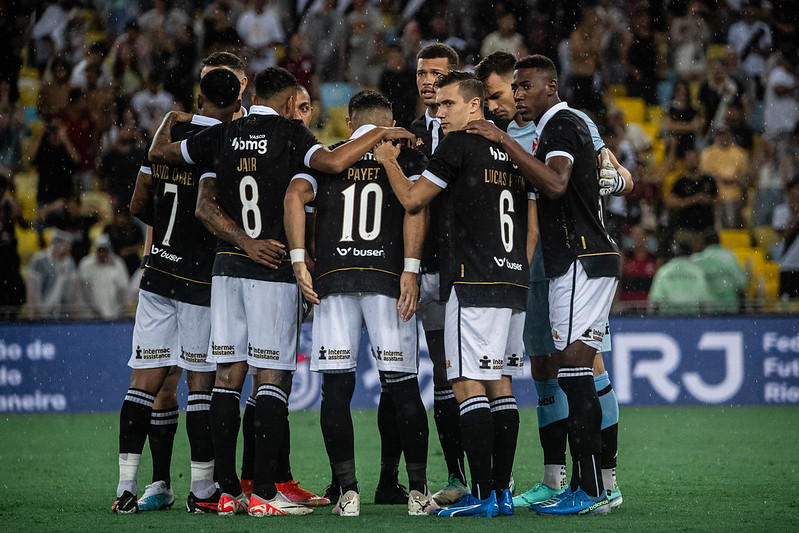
(496, 72)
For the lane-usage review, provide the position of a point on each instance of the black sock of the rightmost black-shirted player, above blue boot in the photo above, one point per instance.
(585, 421)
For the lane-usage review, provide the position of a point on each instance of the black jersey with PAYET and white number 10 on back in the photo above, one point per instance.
(359, 227)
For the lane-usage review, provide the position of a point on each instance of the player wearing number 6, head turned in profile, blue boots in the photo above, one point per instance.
(485, 248)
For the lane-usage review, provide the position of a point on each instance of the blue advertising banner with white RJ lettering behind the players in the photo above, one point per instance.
(82, 367)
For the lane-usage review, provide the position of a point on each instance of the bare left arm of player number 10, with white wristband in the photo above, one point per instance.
(300, 192)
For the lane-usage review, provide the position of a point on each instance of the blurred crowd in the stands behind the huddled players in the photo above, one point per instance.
(698, 99)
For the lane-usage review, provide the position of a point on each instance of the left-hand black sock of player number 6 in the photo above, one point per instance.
(477, 433)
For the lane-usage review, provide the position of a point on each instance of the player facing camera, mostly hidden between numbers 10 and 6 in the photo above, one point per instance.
(433, 62)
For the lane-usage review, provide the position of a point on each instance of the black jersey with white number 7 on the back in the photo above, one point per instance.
(182, 252)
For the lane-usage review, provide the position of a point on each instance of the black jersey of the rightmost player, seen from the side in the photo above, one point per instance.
(571, 227)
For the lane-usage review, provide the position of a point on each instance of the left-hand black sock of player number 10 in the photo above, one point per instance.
(336, 421)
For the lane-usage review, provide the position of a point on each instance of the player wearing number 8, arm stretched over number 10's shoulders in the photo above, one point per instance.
(256, 307)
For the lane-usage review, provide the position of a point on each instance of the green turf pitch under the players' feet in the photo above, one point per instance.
(680, 469)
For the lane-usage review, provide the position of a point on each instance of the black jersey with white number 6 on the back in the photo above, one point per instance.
(483, 226)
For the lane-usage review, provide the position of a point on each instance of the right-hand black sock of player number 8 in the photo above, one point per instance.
(271, 416)
